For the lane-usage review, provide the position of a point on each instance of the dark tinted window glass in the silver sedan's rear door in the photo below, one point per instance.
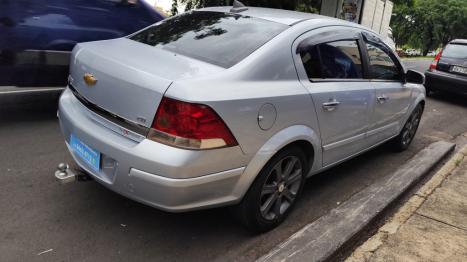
(335, 60)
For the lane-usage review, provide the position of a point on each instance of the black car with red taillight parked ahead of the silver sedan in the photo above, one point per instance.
(448, 72)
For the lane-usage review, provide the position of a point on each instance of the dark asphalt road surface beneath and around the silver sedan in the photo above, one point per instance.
(86, 222)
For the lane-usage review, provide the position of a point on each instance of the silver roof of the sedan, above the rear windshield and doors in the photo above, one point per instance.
(276, 15)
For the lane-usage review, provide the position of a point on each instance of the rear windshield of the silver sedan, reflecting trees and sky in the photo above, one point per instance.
(222, 39)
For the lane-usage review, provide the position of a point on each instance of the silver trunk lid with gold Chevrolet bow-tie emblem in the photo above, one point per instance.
(131, 78)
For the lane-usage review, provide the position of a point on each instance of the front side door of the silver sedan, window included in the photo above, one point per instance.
(392, 96)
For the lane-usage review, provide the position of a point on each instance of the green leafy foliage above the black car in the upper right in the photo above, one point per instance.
(428, 24)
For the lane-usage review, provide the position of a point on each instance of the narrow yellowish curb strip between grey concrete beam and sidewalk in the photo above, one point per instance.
(364, 252)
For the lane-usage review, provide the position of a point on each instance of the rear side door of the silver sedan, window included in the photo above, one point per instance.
(330, 66)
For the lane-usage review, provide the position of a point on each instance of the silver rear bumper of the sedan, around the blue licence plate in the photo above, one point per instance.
(158, 175)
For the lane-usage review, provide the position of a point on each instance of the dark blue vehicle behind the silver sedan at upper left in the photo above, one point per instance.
(37, 36)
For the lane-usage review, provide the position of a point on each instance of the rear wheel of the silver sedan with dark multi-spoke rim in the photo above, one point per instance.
(275, 191)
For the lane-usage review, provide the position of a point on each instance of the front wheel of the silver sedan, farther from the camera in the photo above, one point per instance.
(404, 139)
